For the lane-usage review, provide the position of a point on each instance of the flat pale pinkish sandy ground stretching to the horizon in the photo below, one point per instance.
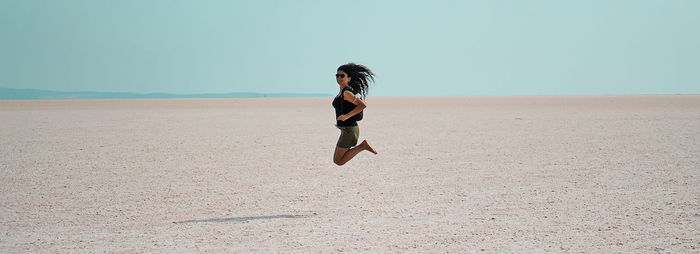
(469, 174)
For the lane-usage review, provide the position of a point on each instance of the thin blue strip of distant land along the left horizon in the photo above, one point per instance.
(34, 94)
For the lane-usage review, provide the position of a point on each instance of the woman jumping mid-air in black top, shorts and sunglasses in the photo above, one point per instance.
(353, 80)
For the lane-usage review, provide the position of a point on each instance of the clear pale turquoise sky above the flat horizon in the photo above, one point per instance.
(416, 48)
